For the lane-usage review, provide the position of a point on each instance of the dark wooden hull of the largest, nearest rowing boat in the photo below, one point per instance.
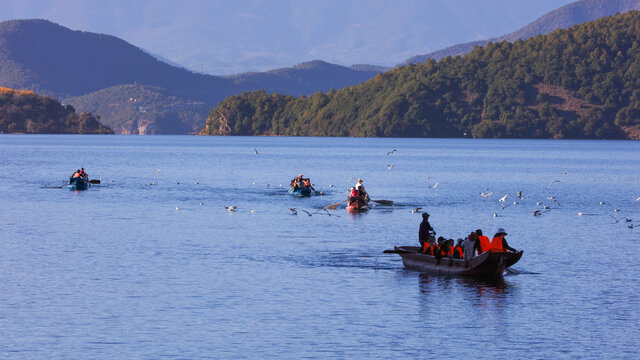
(486, 264)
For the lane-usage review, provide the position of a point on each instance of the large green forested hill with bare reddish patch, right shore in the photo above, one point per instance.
(583, 82)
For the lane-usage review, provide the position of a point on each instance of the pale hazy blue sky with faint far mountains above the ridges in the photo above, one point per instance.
(226, 37)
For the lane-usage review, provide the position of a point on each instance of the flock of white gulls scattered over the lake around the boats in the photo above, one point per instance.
(502, 201)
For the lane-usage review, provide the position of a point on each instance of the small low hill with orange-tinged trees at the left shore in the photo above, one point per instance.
(26, 112)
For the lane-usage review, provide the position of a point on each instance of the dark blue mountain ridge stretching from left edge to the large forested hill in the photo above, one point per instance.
(52, 60)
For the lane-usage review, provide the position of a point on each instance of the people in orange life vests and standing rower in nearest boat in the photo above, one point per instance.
(473, 244)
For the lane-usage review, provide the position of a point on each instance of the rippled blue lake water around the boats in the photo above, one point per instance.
(116, 272)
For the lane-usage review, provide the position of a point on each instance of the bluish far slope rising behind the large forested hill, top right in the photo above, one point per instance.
(561, 18)
